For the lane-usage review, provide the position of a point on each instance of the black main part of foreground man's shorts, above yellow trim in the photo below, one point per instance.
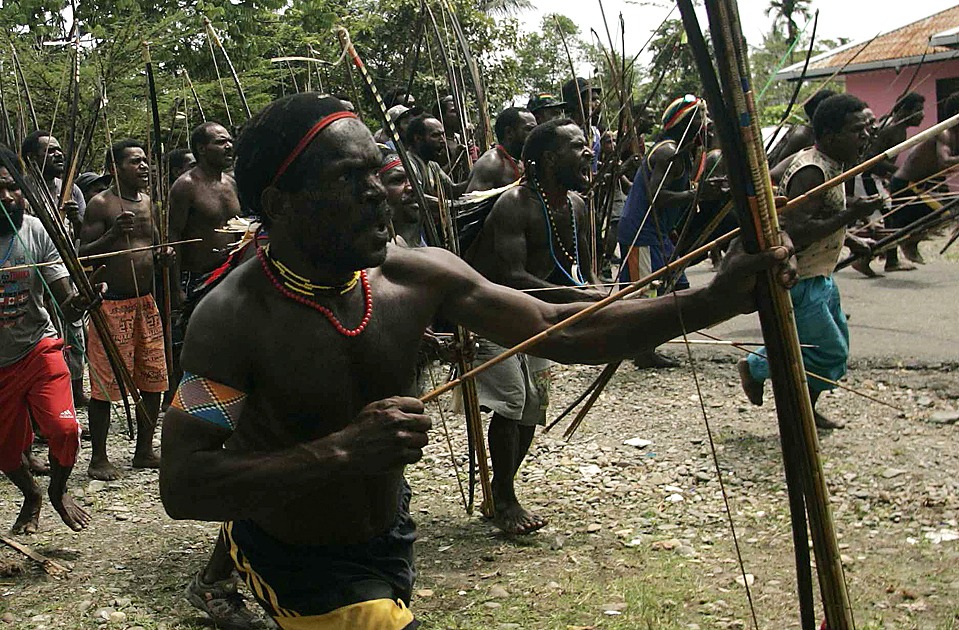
(317, 579)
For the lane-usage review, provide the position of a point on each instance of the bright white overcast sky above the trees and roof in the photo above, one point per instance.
(855, 19)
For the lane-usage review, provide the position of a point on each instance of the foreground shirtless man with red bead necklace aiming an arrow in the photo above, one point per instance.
(302, 453)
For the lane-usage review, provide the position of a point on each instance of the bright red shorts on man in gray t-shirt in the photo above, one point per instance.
(38, 386)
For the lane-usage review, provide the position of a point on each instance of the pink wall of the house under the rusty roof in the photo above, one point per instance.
(881, 88)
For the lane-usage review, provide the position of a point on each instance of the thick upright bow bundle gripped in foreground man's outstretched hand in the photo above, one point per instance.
(797, 424)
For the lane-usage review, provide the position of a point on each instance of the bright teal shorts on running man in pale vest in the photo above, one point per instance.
(820, 322)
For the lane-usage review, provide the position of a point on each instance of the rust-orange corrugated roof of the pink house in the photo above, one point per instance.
(903, 46)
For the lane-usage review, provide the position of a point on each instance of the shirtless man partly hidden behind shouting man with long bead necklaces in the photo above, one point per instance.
(502, 165)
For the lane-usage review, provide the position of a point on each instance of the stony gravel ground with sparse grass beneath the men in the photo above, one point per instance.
(638, 537)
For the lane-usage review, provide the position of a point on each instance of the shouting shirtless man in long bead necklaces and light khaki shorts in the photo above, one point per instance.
(533, 239)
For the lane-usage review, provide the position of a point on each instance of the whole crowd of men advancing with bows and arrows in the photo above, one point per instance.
(293, 390)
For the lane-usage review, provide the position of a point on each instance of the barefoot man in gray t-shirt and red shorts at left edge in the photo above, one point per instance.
(34, 379)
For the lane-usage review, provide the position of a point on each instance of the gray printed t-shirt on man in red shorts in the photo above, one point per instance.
(23, 319)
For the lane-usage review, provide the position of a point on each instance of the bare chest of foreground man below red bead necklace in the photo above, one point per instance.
(312, 380)
